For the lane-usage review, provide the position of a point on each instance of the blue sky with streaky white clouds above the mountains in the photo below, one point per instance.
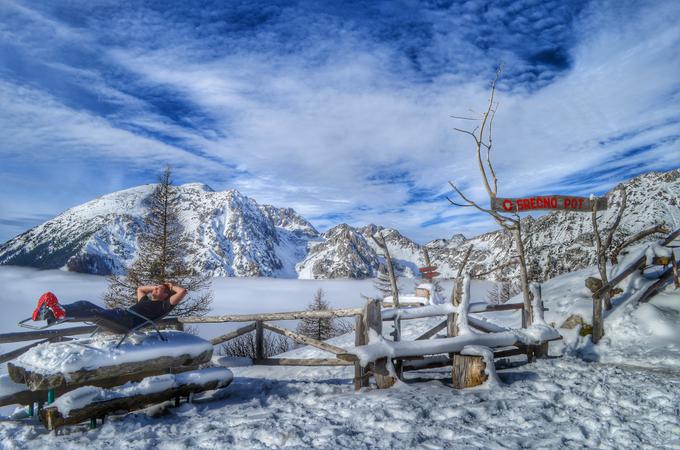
(341, 110)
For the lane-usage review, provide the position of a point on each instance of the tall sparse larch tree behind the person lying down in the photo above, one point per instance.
(162, 247)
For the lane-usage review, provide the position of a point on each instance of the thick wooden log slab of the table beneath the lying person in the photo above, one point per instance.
(37, 381)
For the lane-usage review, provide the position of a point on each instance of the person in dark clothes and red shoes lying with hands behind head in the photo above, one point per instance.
(153, 303)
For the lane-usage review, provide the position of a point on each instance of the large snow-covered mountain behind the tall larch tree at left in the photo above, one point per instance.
(230, 234)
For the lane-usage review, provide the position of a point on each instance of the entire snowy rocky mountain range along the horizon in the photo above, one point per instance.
(232, 235)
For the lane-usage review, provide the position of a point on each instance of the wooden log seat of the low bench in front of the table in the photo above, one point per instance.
(52, 418)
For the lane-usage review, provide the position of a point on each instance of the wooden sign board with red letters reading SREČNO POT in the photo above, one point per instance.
(553, 202)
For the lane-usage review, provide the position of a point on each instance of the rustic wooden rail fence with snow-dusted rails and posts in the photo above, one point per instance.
(370, 317)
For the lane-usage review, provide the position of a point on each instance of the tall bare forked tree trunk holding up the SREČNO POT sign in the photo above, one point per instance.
(483, 141)
